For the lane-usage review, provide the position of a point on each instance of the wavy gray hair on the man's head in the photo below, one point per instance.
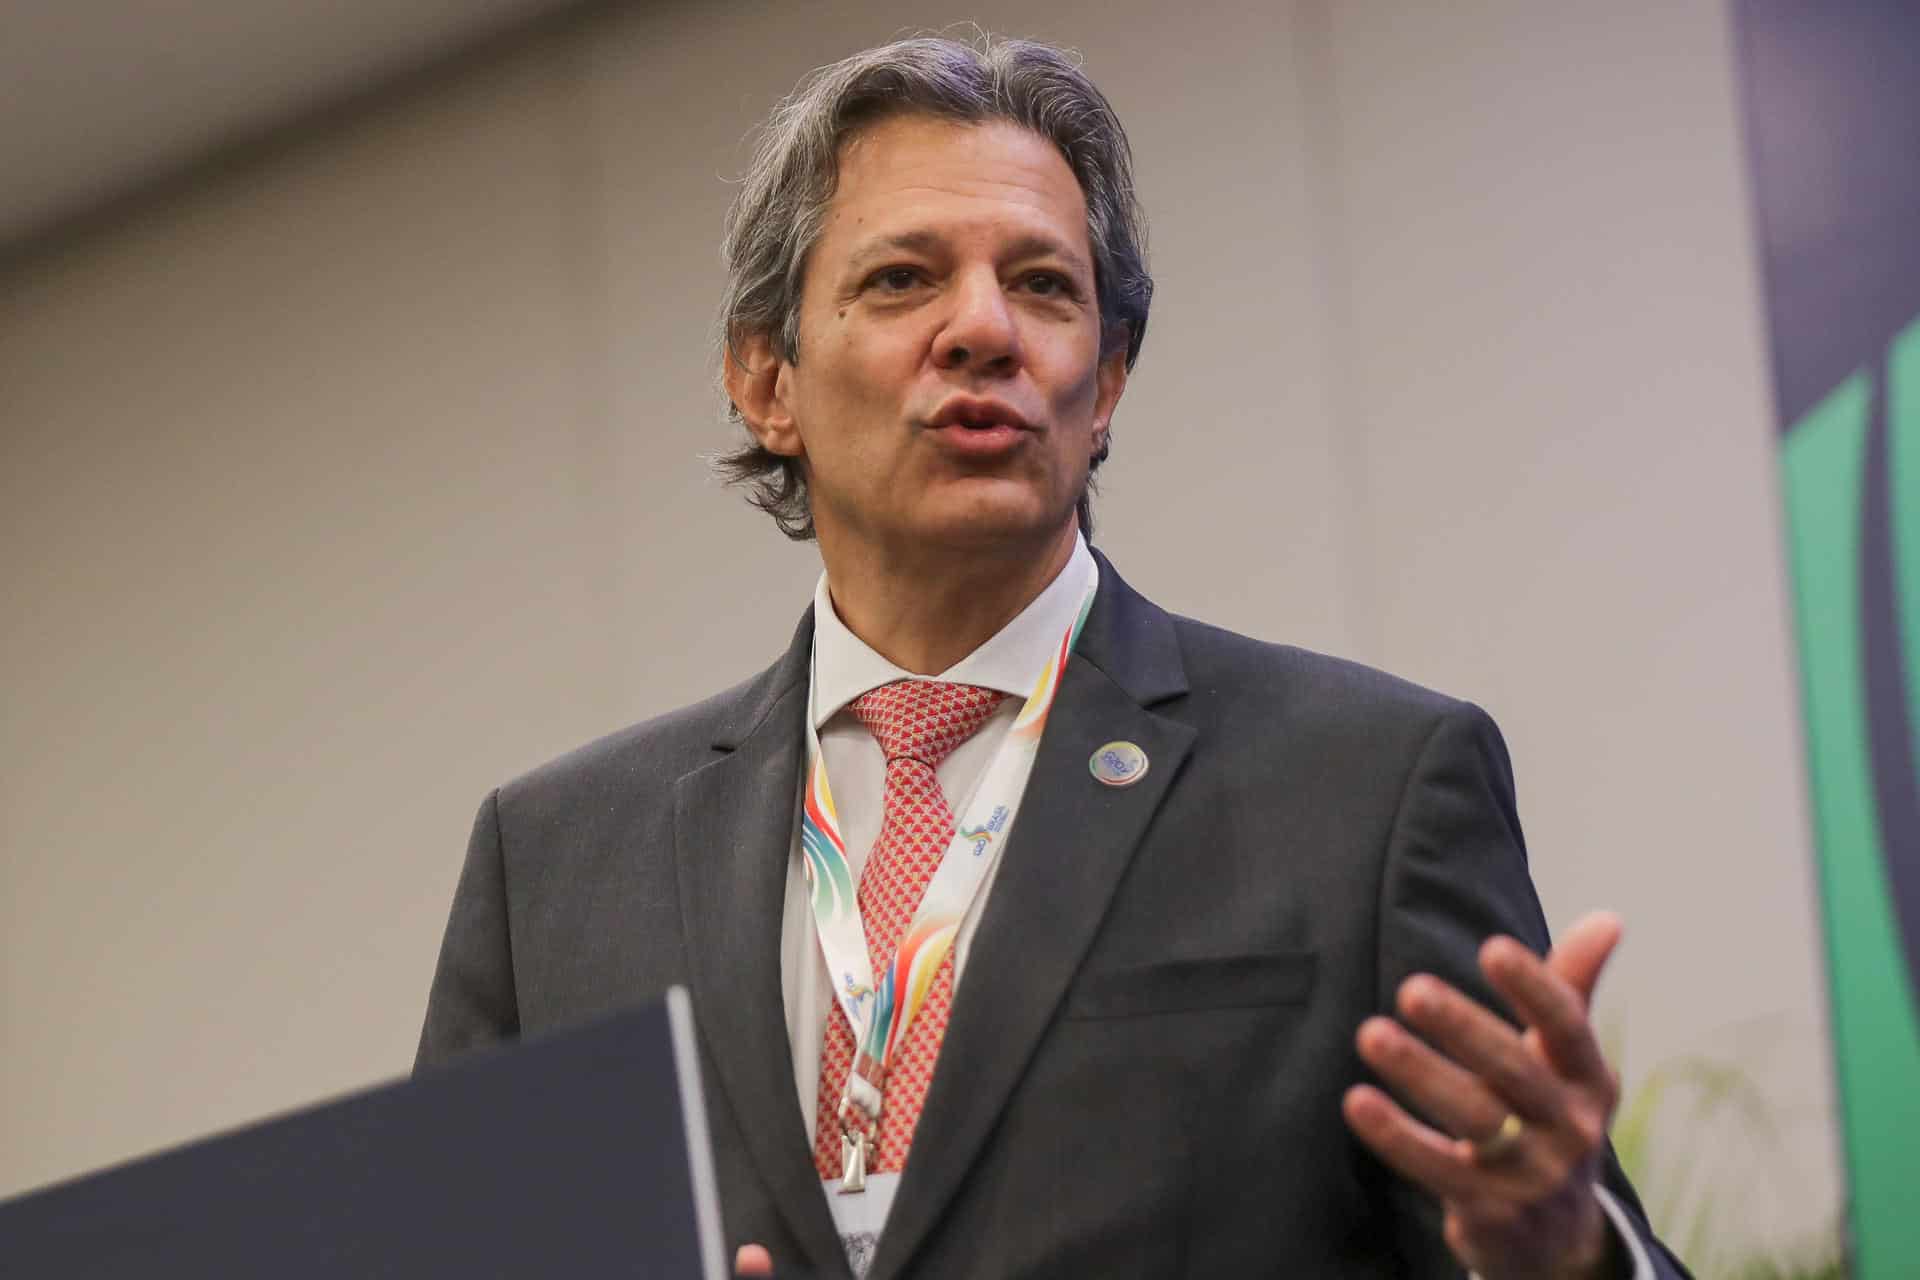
(784, 201)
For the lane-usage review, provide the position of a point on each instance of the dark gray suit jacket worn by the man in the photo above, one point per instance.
(1143, 1068)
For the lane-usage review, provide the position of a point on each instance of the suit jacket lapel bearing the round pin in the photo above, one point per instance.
(1065, 861)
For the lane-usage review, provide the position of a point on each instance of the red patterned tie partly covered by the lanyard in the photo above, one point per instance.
(917, 724)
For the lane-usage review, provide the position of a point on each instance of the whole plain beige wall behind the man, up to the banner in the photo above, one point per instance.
(358, 481)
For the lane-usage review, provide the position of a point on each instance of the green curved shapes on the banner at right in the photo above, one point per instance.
(1827, 471)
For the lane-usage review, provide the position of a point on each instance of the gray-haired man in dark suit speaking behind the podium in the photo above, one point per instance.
(1036, 932)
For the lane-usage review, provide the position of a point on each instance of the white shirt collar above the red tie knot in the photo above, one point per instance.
(846, 667)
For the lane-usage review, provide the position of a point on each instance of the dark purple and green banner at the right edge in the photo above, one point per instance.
(1833, 112)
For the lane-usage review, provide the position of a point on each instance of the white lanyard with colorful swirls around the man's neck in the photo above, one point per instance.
(882, 1014)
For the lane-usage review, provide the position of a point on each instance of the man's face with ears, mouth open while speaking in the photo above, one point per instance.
(949, 389)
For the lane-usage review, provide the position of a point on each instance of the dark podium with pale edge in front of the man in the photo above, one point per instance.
(583, 1154)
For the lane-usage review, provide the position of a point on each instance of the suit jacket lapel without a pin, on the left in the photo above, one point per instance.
(732, 836)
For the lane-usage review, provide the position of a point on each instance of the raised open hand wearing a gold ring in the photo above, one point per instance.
(1520, 1118)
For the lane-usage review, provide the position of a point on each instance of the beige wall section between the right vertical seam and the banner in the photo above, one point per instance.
(1554, 379)
